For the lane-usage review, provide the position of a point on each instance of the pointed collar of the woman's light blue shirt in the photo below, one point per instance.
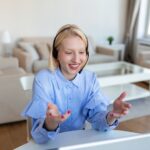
(61, 80)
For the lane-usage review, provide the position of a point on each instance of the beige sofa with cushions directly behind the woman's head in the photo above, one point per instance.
(33, 53)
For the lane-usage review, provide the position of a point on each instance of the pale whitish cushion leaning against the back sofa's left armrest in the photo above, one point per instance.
(30, 49)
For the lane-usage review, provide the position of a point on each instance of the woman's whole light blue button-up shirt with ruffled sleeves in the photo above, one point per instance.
(82, 96)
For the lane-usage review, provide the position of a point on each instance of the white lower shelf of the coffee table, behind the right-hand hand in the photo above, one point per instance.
(133, 92)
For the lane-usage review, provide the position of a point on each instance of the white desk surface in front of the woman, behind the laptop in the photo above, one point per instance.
(76, 137)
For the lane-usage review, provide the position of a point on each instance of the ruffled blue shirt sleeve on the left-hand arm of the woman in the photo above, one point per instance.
(36, 109)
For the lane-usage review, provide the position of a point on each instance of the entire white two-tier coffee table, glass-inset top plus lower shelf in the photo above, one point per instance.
(119, 76)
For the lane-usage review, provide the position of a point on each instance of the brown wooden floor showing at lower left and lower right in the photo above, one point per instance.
(14, 134)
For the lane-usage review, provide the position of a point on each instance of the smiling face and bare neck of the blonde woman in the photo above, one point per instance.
(71, 56)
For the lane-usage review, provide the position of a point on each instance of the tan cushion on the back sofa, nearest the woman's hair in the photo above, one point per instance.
(43, 50)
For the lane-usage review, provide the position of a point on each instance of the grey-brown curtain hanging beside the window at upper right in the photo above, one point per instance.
(130, 35)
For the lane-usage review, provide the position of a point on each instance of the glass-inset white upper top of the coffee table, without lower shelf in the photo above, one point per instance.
(120, 72)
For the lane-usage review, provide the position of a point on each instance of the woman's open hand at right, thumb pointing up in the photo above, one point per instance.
(120, 108)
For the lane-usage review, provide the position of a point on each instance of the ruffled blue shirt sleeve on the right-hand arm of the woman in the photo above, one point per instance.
(96, 108)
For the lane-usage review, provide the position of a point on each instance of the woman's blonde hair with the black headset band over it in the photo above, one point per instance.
(64, 32)
